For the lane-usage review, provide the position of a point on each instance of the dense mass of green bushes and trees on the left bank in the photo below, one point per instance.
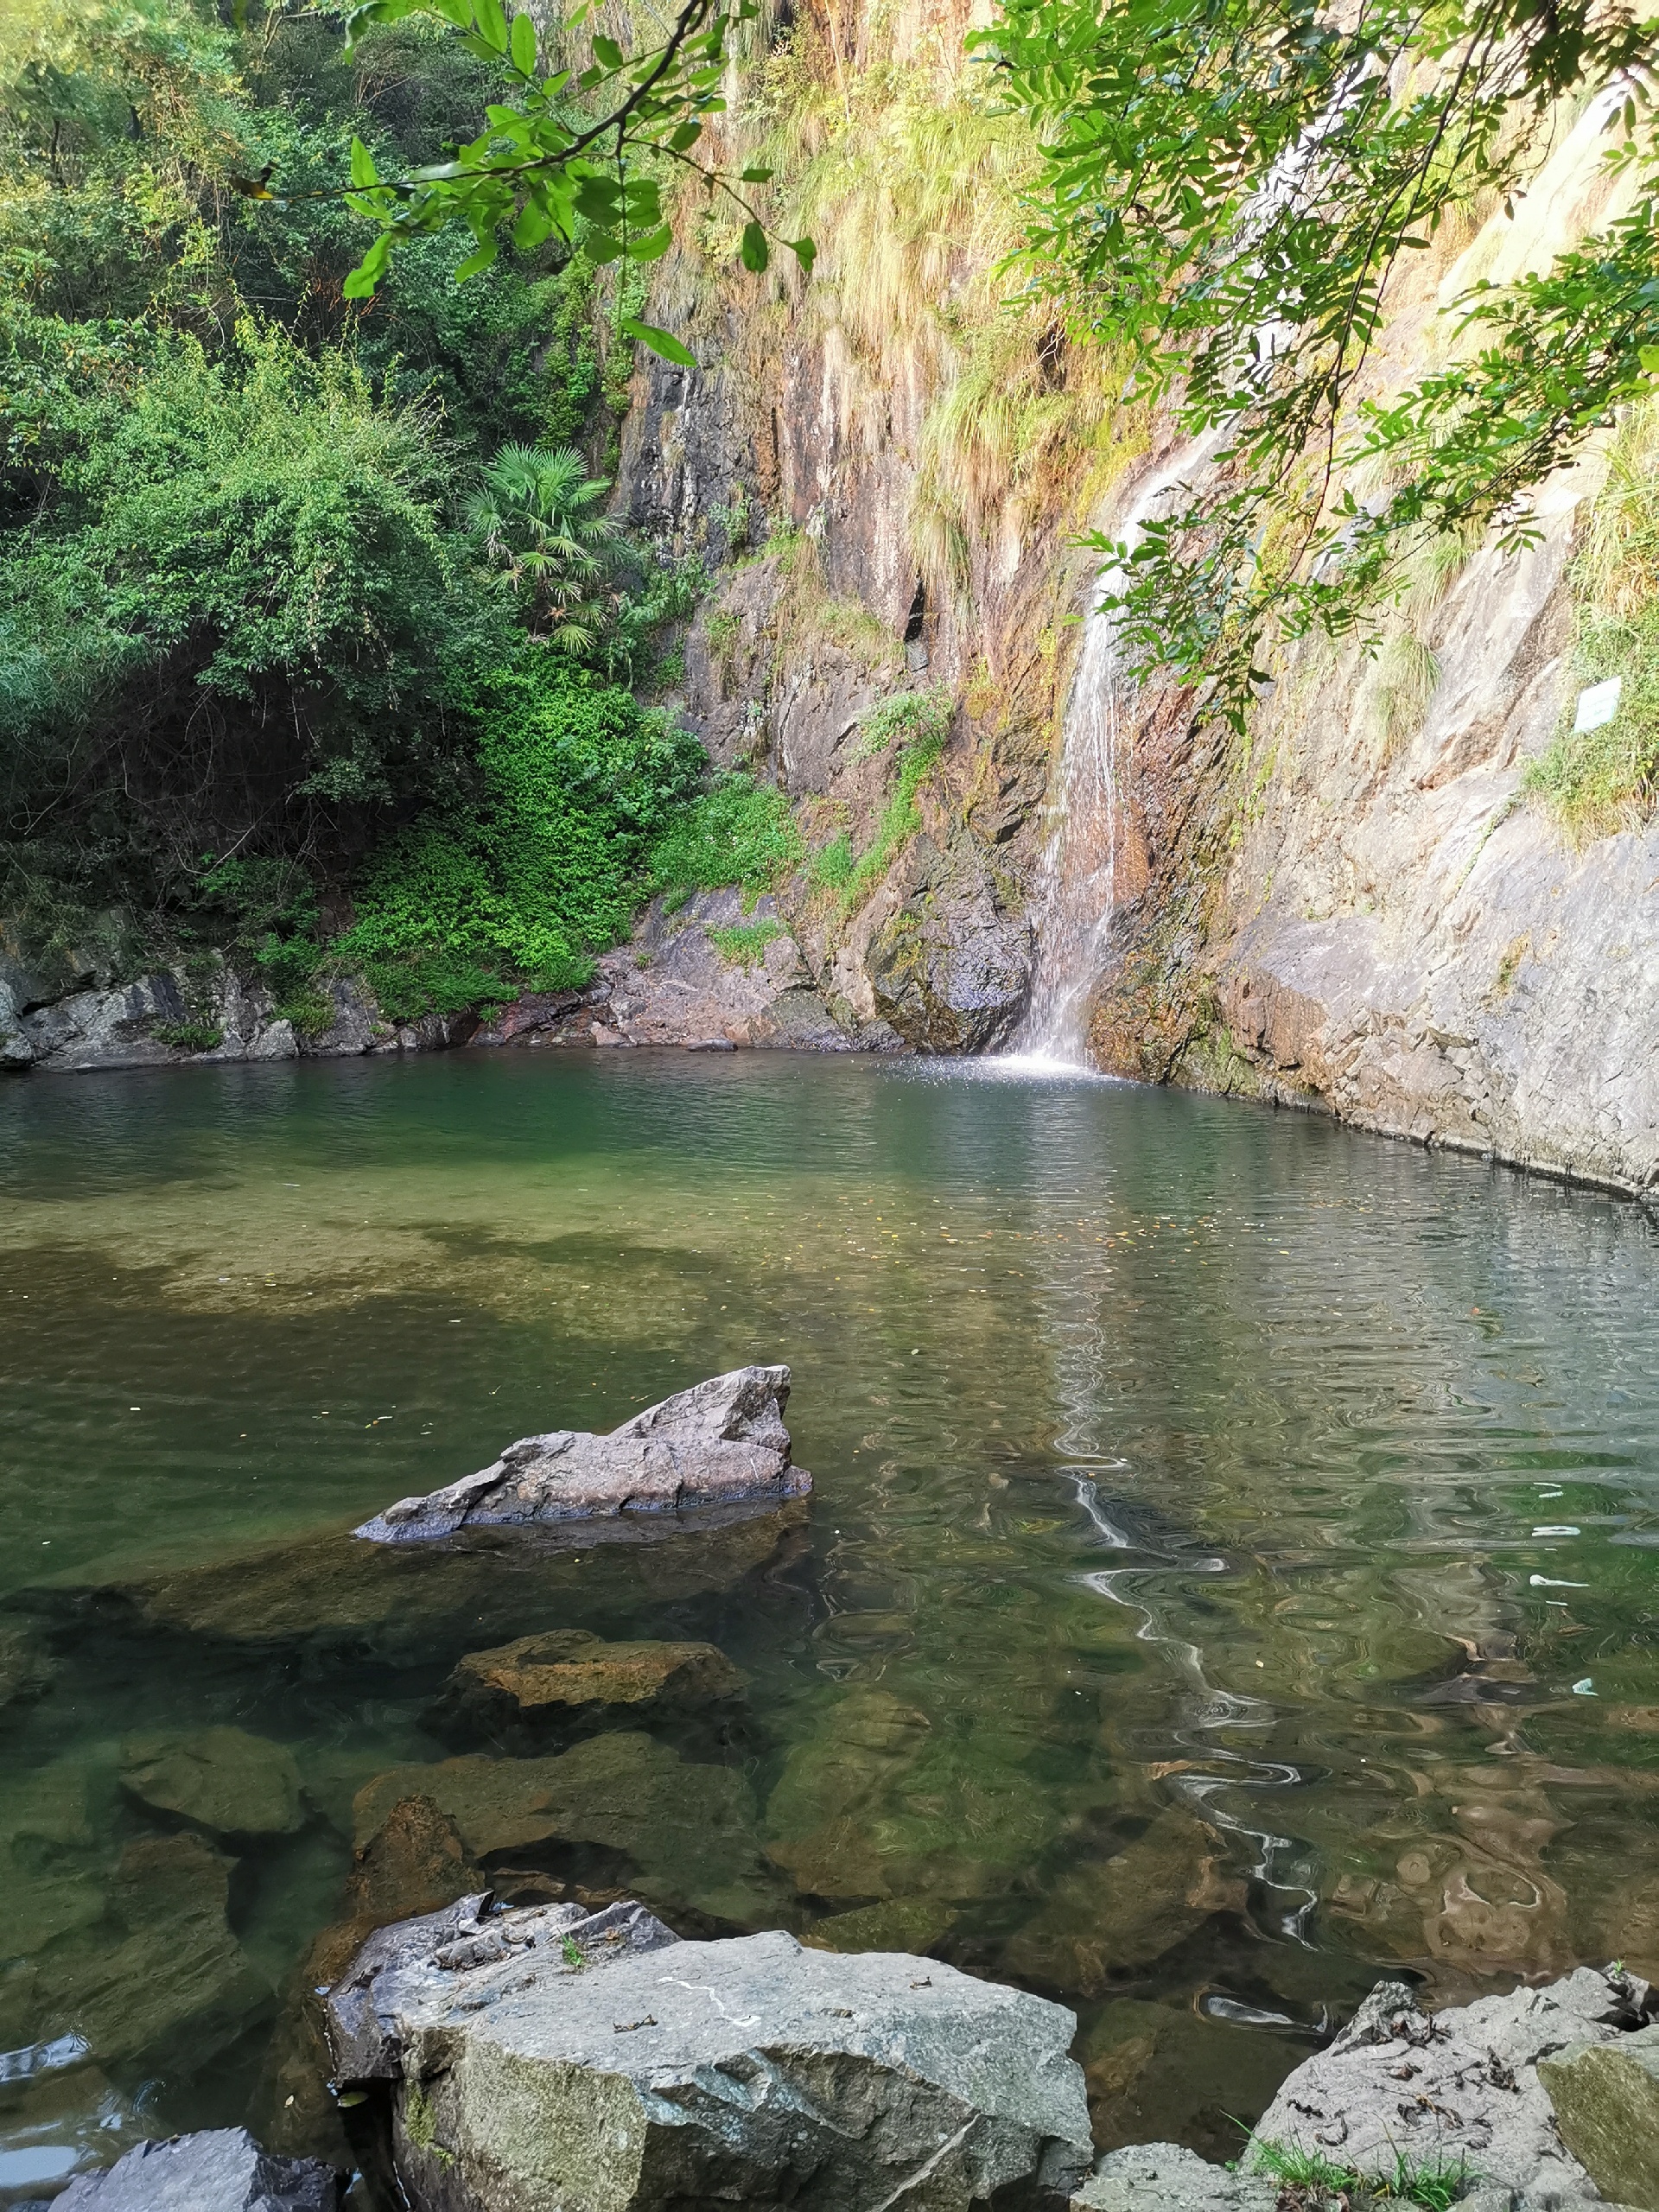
(311, 612)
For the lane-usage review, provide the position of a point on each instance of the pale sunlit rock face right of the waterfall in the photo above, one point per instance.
(1370, 915)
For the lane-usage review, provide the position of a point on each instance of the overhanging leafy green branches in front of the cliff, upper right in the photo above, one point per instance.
(1231, 189)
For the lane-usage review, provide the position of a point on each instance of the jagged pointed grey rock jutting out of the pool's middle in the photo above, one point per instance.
(720, 1443)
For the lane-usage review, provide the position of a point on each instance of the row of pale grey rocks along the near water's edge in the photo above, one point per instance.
(501, 2060)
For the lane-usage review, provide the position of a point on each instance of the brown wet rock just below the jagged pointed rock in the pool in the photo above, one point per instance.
(567, 1680)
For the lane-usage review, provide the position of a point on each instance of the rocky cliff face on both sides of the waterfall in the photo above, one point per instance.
(1364, 912)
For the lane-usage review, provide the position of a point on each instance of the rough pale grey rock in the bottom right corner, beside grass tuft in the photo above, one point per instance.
(1461, 2085)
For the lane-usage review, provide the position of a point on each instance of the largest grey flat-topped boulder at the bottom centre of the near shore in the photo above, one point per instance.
(592, 2060)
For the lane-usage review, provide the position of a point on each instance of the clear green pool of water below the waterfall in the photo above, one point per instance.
(1231, 1572)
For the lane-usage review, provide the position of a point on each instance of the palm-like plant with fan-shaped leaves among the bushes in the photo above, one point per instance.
(539, 517)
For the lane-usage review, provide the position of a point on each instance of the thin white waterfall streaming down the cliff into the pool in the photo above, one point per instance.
(1078, 875)
